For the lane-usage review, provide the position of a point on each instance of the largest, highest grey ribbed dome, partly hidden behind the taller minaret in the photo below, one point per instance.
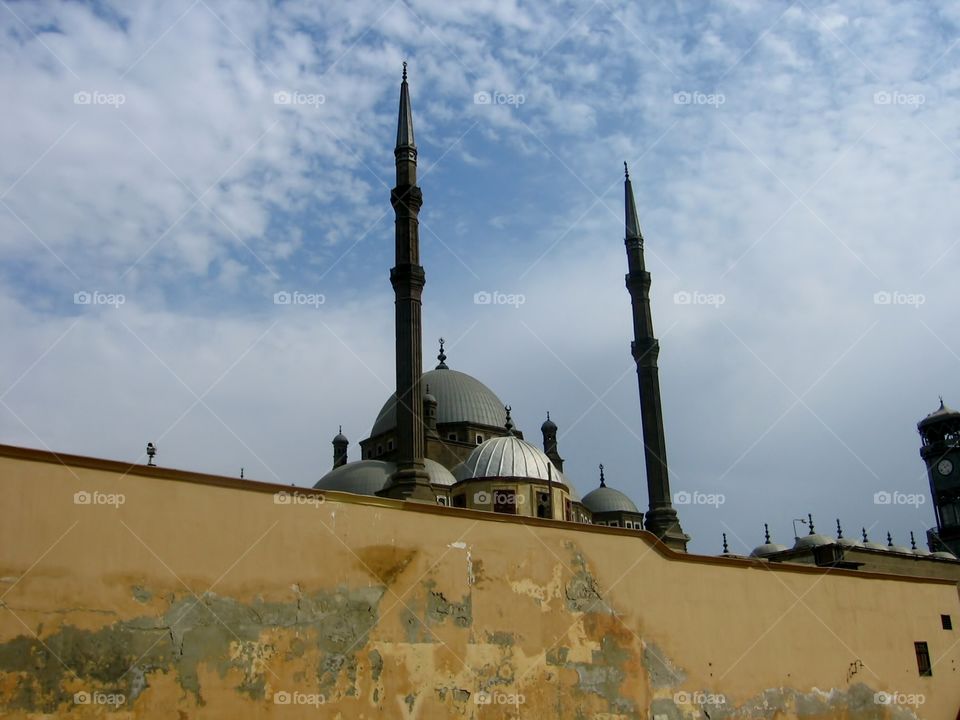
(460, 398)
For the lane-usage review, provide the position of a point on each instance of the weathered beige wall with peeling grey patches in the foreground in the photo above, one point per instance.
(196, 598)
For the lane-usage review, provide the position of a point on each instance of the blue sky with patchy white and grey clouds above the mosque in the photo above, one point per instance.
(170, 167)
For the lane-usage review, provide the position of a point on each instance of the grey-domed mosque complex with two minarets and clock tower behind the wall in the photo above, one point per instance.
(452, 441)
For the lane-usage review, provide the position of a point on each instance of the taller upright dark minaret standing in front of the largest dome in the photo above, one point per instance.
(410, 481)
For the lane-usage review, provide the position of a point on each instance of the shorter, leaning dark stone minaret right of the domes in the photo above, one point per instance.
(662, 518)
